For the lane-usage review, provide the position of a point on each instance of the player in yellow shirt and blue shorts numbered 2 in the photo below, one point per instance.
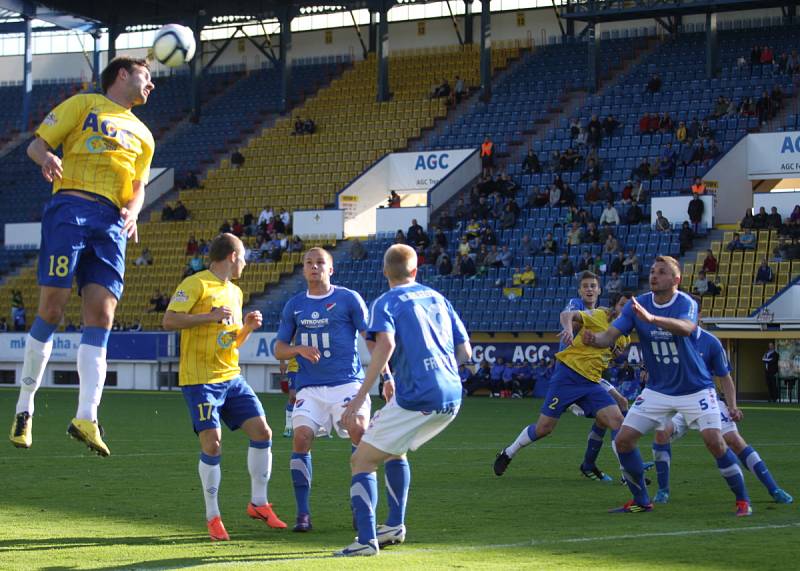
(576, 380)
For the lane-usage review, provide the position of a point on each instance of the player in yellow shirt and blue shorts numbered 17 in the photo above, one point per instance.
(207, 310)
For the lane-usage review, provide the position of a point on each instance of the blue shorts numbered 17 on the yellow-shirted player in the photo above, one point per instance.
(233, 401)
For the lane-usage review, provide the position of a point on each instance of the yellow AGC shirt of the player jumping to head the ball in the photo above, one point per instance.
(106, 147)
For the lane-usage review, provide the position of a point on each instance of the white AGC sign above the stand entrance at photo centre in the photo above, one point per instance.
(421, 171)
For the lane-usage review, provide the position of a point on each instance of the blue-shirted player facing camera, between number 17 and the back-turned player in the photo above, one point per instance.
(320, 327)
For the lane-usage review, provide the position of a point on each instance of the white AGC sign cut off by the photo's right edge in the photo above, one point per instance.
(773, 155)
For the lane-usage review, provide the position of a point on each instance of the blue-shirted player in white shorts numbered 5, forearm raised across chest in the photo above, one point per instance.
(665, 320)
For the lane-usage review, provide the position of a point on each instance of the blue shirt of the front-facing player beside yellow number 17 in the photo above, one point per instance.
(330, 323)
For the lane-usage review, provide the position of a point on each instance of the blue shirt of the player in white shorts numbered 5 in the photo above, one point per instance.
(673, 361)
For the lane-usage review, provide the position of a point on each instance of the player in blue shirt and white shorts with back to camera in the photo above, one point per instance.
(419, 330)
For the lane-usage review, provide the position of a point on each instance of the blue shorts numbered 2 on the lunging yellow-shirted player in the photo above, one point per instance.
(569, 387)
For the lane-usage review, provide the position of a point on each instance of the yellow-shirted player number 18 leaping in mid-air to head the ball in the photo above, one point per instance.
(98, 192)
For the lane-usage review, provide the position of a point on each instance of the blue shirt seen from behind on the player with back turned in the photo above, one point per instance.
(426, 330)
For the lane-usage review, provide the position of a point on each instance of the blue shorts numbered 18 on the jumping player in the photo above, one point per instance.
(82, 240)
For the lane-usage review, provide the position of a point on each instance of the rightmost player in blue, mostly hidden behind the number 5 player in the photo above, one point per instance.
(716, 361)
